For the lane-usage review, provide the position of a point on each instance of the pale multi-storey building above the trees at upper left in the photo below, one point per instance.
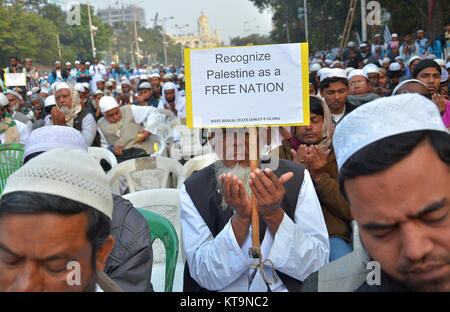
(125, 14)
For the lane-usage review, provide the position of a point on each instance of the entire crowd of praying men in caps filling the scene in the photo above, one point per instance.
(375, 154)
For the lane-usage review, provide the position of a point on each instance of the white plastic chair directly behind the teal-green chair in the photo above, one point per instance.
(165, 202)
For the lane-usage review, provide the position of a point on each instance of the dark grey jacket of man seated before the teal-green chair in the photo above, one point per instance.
(130, 261)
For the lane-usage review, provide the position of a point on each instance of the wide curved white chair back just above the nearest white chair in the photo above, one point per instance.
(145, 173)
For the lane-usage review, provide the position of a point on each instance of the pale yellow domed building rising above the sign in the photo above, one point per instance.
(204, 38)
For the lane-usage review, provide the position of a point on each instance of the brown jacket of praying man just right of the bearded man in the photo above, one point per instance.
(335, 208)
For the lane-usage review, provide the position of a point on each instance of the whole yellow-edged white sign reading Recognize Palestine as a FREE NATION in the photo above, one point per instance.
(263, 85)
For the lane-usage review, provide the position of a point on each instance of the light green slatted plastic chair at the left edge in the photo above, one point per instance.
(11, 155)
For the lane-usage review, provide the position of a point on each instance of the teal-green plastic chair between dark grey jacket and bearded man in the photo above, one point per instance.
(161, 228)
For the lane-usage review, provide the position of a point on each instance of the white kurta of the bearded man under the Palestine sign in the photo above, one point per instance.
(299, 248)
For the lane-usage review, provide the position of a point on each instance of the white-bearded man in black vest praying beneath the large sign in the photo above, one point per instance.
(216, 222)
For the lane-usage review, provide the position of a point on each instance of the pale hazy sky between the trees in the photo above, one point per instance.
(231, 17)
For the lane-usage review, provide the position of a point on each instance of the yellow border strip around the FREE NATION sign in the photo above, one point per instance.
(304, 74)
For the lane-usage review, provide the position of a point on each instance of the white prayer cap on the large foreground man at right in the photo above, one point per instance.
(382, 118)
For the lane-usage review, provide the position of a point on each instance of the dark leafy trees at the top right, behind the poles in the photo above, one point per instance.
(326, 19)
